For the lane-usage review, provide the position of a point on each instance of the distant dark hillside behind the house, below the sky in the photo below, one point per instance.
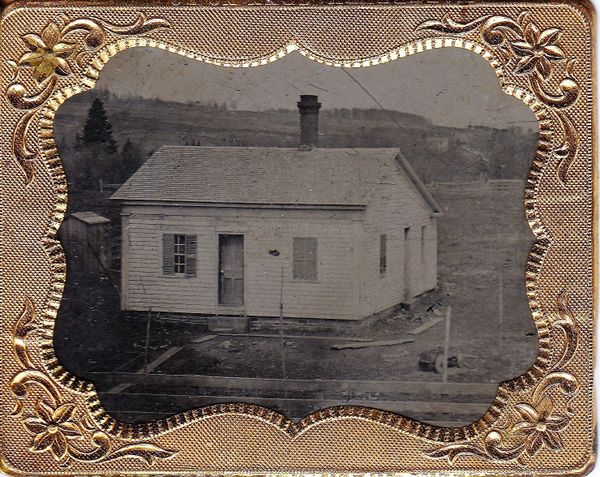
(437, 153)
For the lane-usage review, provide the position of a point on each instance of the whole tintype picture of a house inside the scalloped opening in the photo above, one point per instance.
(296, 236)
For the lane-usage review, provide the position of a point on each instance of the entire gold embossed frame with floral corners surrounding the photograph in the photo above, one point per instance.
(52, 423)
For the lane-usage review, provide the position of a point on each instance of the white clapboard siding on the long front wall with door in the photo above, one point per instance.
(331, 296)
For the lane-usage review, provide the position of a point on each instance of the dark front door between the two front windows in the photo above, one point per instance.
(231, 270)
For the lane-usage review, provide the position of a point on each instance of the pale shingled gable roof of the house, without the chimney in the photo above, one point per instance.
(265, 176)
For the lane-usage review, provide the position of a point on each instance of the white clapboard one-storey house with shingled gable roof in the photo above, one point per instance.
(327, 233)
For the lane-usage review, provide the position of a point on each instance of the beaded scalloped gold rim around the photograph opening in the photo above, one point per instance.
(130, 431)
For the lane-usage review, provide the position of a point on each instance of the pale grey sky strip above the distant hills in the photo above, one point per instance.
(450, 86)
